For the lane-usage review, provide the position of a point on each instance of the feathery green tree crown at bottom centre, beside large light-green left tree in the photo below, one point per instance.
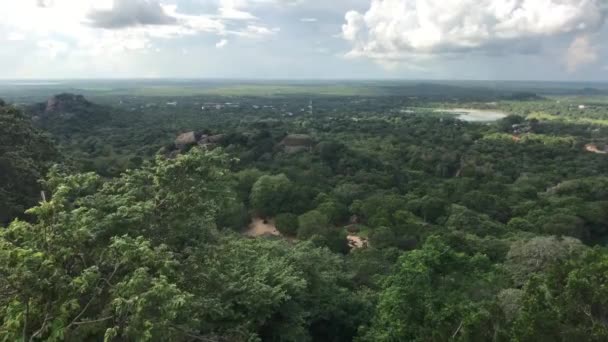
(273, 290)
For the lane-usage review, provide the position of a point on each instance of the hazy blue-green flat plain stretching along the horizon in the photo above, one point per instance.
(571, 92)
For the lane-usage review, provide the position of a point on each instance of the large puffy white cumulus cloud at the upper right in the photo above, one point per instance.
(394, 30)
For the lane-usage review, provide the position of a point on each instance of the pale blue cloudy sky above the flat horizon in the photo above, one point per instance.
(305, 39)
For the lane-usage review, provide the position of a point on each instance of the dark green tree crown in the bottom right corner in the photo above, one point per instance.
(568, 304)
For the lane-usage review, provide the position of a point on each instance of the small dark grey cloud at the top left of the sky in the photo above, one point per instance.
(126, 13)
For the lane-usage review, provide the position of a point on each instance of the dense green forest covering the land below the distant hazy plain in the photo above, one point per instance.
(304, 218)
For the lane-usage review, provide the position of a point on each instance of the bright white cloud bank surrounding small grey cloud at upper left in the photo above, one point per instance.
(110, 27)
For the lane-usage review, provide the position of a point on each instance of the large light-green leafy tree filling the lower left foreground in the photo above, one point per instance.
(75, 274)
